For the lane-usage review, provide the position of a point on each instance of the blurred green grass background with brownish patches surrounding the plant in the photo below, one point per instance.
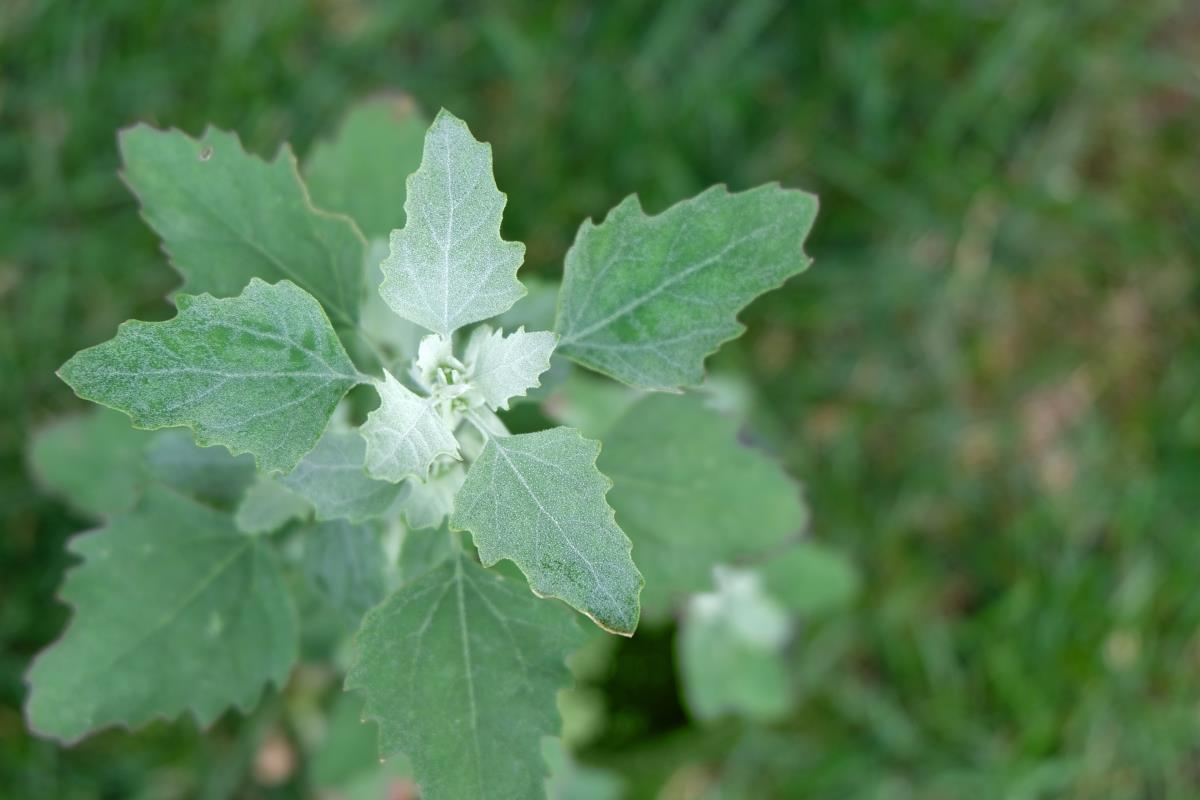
(989, 382)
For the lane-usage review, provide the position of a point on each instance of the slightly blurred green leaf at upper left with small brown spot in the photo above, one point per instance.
(226, 218)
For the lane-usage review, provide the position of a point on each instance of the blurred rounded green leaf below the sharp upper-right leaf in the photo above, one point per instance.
(691, 496)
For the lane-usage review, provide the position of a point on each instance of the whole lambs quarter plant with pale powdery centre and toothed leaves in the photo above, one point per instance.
(292, 300)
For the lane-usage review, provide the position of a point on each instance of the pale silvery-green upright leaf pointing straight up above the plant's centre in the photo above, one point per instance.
(449, 267)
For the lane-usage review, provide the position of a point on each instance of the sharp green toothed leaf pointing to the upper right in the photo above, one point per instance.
(646, 299)
